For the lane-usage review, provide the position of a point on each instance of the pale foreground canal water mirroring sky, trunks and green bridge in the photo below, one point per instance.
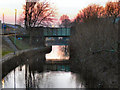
(52, 77)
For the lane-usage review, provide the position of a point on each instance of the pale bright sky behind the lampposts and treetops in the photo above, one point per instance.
(68, 7)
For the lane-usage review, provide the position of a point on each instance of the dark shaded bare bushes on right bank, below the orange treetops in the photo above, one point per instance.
(94, 54)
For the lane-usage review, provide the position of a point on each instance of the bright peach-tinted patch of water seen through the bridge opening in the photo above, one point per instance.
(58, 53)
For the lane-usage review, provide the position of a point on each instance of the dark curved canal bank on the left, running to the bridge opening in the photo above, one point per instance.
(11, 61)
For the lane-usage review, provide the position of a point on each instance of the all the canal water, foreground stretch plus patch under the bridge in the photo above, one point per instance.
(47, 76)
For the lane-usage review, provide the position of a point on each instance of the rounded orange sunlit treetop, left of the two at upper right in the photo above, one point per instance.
(91, 12)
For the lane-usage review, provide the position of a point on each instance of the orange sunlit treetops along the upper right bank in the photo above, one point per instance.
(94, 11)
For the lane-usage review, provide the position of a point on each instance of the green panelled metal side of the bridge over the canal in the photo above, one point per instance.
(56, 32)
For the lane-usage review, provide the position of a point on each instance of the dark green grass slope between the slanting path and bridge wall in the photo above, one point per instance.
(20, 44)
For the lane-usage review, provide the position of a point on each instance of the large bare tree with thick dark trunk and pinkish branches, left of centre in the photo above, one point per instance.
(38, 14)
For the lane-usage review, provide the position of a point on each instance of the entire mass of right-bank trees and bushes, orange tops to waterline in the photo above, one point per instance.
(92, 44)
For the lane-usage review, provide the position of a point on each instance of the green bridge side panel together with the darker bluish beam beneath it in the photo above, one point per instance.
(57, 36)
